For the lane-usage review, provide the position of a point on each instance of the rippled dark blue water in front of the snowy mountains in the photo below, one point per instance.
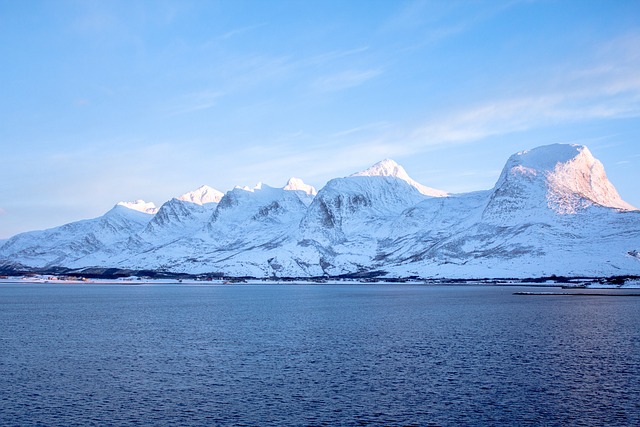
(315, 355)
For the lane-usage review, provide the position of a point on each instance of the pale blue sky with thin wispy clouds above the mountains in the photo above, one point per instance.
(108, 101)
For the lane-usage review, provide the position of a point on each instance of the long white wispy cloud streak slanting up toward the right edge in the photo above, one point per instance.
(609, 88)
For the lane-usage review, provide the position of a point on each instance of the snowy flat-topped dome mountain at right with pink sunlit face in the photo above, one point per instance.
(552, 211)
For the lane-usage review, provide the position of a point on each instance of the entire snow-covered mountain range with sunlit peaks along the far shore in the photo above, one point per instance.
(552, 211)
